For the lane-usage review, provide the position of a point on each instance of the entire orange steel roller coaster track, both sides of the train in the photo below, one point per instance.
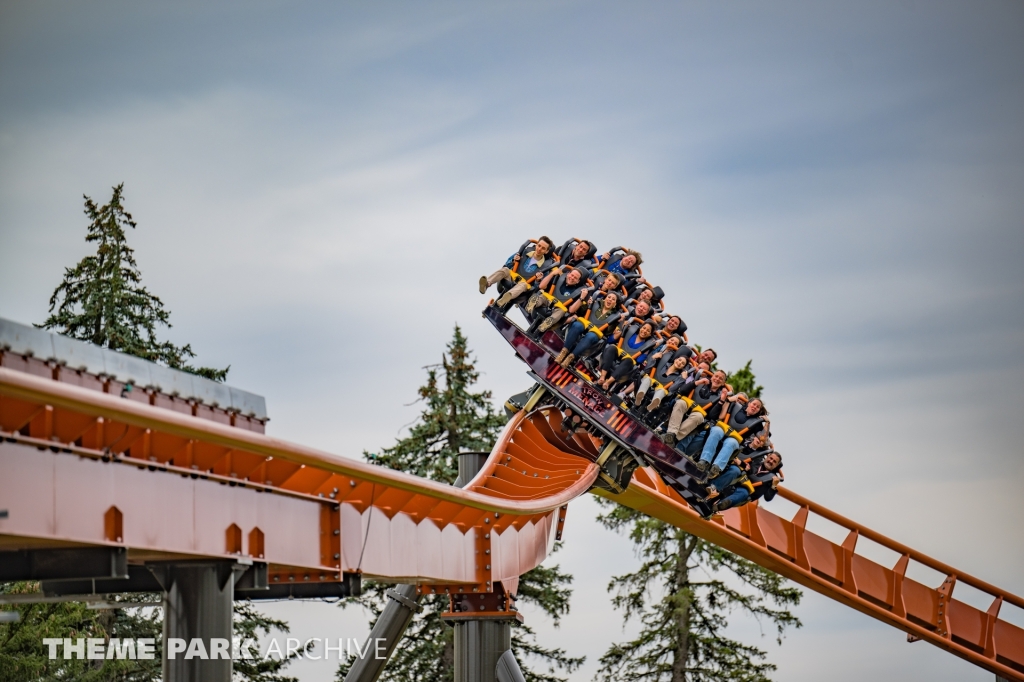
(86, 468)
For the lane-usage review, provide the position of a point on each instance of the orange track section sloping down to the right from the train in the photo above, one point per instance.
(837, 572)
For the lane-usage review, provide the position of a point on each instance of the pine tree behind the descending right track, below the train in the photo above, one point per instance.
(684, 594)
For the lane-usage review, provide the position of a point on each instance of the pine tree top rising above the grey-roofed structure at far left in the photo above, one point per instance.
(102, 301)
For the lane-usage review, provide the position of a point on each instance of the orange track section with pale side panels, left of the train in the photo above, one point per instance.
(504, 521)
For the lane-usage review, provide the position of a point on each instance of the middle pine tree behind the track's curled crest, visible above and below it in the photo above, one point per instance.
(456, 420)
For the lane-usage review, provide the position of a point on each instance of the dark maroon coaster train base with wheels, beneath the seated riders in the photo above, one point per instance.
(628, 443)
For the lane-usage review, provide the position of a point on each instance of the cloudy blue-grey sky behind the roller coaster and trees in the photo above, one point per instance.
(833, 190)
